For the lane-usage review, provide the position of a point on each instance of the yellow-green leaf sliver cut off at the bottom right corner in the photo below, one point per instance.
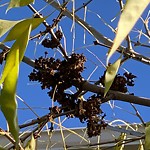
(147, 137)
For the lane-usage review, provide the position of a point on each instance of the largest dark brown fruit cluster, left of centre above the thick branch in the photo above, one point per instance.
(58, 75)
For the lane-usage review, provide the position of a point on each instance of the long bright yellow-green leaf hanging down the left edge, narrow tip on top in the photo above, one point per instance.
(7, 98)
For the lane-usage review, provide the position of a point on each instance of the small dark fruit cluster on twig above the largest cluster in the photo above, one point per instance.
(53, 42)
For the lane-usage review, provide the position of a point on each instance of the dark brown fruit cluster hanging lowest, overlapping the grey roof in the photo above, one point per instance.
(91, 112)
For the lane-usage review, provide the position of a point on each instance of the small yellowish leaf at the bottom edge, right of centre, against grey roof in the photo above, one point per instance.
(120, 144)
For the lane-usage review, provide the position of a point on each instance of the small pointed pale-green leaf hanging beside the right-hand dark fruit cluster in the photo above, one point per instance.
(110, 74)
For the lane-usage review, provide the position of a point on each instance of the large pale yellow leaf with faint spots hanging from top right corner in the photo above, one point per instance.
(131, 13)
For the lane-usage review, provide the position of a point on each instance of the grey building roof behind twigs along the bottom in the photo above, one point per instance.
(76, 138)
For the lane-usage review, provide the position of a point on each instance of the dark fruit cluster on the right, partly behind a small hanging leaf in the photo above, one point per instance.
(120, 83)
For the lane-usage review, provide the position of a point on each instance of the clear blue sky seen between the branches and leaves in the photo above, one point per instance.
(38, 99)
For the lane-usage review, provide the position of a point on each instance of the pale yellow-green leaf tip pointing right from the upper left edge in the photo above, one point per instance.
(6, 25)
